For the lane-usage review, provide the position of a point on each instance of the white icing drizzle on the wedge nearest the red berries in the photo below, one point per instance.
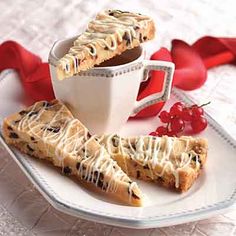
(151, 152)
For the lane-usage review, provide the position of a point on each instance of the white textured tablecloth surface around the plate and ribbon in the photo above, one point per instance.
(37, 24)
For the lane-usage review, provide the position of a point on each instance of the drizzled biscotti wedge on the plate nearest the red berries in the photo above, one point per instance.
(172, 162)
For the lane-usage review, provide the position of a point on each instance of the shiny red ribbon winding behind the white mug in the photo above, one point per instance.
(191, 64)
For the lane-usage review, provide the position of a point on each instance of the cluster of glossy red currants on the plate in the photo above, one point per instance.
(179, 117)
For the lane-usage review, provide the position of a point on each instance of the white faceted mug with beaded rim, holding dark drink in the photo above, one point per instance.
(103, 98)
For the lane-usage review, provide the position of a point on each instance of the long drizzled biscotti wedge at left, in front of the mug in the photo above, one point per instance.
(47, 130)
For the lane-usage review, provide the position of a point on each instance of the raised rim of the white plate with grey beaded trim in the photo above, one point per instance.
(118, 220)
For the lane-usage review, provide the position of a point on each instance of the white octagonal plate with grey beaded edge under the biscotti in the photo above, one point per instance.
(213, 192)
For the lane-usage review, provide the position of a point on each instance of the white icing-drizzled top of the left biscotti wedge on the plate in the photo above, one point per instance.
(72, 139)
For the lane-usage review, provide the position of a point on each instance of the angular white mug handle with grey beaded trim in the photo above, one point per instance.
(168, 68)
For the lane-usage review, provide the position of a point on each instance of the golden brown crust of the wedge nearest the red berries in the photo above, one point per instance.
(186, 176)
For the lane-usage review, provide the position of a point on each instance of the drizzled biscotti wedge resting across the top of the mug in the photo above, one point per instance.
(110, 34)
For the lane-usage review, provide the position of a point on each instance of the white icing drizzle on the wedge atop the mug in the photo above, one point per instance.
(103, 32)
